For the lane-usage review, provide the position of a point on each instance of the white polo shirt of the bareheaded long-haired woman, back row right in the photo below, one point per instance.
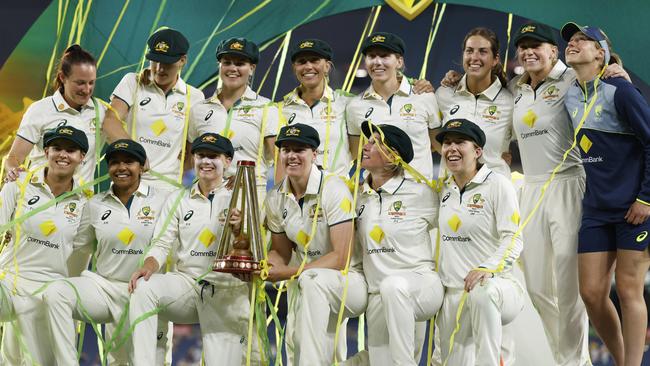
(491, 110)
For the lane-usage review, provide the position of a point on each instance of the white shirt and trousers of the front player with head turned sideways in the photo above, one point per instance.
(393, 227)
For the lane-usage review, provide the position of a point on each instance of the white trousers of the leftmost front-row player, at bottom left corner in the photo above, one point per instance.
(25, 338)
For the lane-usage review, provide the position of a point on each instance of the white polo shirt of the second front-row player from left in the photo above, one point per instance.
(122, 233)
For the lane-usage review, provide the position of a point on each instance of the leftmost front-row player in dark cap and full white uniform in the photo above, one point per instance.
(41, 245)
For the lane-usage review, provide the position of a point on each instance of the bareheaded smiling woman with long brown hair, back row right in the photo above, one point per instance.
(481, 96)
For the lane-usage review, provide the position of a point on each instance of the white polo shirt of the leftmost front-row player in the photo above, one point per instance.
(46, 239)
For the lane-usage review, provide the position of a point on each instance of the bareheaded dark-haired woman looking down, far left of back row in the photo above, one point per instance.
(72, 104)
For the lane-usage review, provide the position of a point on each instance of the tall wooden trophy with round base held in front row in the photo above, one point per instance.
(243, 254)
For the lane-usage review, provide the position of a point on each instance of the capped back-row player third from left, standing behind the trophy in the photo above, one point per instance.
(235, 111)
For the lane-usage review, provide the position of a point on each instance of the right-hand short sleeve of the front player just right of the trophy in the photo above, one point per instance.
(336, 201)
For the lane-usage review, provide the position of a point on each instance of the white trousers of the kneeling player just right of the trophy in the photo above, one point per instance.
(315, 313)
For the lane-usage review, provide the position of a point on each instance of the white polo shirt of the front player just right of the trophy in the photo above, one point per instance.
(294, 218)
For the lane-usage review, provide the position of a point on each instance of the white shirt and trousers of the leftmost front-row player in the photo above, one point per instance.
(45, 241)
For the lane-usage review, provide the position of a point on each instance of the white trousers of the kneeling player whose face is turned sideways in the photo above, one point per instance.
(404, 302)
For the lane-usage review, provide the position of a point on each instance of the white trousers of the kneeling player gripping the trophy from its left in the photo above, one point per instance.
(222, 313)
